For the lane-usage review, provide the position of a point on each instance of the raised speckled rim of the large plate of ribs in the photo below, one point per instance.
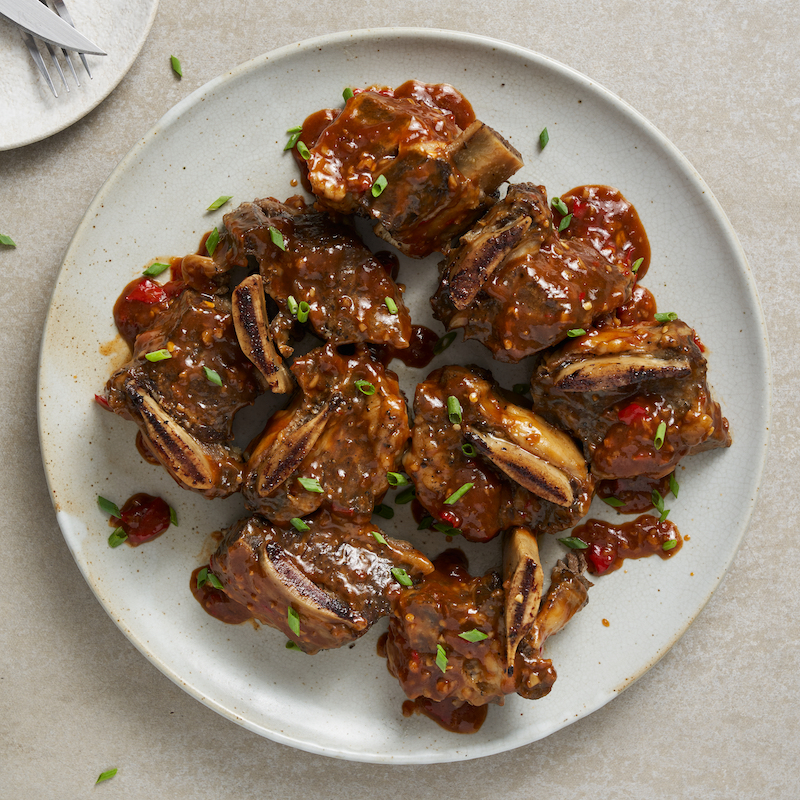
(428, 37)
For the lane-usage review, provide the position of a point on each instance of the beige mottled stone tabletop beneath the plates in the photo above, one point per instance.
(716, 718)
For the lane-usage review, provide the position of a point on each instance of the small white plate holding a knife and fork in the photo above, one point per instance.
(30, 112)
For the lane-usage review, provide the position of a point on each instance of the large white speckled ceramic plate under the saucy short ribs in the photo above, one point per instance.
(227, 138)
